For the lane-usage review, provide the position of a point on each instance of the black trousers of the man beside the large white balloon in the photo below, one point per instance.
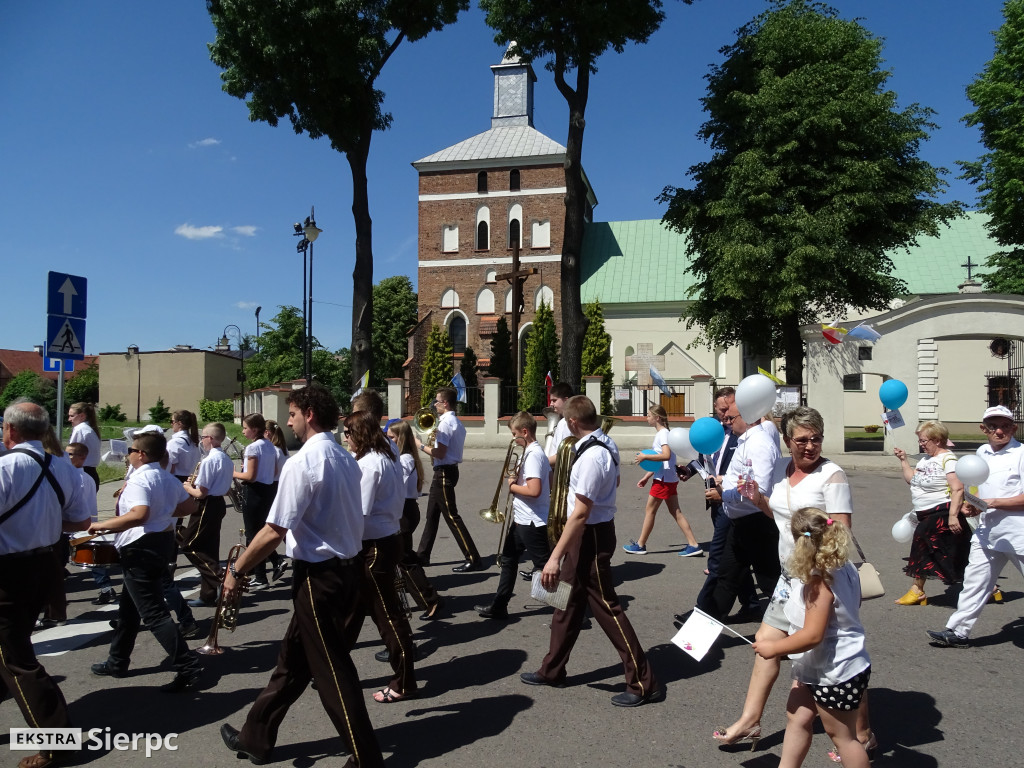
(751, 544)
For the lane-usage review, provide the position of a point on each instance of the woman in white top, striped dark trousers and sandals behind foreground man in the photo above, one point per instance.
(383, 494)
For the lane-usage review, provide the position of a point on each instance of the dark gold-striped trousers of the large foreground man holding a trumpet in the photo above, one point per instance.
(327, 598)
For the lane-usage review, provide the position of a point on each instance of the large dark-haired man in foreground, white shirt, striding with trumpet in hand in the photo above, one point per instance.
(319, 511)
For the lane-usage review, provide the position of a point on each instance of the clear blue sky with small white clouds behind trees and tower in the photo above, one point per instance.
(124, 162)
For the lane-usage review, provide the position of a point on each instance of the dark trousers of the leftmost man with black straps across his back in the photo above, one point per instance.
(25, 584)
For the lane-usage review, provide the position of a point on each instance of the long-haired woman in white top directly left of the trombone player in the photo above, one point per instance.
(417, 584)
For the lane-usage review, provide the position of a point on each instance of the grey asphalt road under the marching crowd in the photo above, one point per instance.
(930, 707)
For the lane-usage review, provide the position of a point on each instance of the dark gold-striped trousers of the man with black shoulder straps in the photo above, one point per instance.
(588, 572)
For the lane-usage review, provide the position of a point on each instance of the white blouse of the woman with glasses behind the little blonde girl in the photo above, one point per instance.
(827, 489)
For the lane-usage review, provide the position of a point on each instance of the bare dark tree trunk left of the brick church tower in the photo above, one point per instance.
(363, 274)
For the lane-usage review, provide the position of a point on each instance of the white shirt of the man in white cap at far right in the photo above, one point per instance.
(1000, 529)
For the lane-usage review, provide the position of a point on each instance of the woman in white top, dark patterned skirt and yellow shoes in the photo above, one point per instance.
(943, 539)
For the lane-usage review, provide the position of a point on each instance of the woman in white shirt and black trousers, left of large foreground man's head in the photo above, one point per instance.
(260, 465)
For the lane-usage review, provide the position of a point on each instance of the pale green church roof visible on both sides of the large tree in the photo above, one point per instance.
(632, 263)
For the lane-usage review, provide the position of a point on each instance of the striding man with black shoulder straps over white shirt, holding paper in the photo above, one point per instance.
(587, 545)
